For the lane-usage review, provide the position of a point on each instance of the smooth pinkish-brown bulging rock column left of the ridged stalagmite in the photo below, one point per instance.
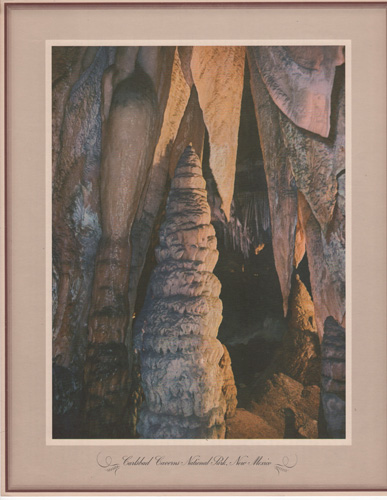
(139, 84)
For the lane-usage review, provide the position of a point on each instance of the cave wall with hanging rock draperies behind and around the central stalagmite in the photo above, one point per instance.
(121, 119)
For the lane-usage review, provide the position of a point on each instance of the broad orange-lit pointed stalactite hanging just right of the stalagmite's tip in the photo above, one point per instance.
(218, 75)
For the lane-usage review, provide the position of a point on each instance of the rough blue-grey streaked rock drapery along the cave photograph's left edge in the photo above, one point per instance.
(76, 204)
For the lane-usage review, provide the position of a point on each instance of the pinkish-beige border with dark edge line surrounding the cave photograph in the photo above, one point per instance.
(32, 463)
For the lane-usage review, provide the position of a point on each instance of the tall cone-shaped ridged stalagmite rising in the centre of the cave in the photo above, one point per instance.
(186, 373)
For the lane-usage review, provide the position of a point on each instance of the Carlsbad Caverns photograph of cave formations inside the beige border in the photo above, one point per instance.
(198, 242)
